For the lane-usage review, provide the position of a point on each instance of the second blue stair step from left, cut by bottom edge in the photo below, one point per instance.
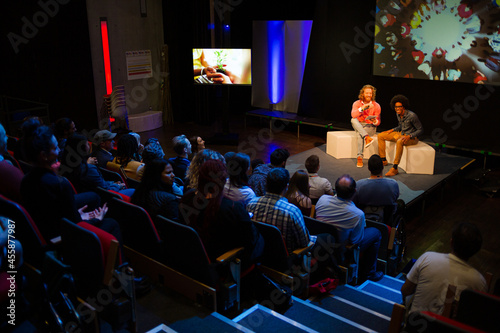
(261, 319)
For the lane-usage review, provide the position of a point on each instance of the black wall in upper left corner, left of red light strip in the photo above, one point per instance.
(52, 63)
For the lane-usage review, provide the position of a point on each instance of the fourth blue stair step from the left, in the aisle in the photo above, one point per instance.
(372, 302)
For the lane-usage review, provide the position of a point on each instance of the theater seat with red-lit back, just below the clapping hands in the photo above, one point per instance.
(94, 259)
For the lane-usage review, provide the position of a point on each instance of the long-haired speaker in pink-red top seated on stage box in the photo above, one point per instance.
(365, 115)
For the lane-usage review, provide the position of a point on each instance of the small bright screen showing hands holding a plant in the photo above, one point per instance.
(222, 66)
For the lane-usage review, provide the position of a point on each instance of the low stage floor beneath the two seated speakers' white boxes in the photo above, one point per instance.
(412, 187)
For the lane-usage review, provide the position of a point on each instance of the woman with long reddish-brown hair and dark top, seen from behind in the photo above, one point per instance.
(221, 223)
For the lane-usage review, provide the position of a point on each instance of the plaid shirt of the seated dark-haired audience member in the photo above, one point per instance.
(276, 210)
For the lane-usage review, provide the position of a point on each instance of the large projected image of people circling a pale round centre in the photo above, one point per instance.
(448, 40)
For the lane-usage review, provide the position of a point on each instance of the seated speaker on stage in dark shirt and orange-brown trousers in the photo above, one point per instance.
(405, 134)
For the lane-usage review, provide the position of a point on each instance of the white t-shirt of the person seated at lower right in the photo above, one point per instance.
(433, 272)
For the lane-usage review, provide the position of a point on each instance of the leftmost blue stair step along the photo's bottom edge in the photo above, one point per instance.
(214, 323)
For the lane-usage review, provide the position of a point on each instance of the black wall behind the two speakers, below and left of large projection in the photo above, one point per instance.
(339, 63)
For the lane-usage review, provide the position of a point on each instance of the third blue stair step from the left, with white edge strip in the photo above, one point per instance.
(344, 315)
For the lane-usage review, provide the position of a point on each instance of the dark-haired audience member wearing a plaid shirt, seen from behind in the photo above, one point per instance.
(273, 208)
